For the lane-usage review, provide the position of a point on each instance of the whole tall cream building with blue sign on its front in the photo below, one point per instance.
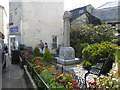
(33, 21)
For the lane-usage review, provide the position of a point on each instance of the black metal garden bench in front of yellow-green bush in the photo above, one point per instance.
(100, 68)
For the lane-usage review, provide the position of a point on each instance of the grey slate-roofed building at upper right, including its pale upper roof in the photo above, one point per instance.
(109, 12)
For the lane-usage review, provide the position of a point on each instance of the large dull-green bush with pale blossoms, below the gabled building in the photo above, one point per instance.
(91, 34)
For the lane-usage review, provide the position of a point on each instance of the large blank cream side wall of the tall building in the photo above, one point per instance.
(41, 21)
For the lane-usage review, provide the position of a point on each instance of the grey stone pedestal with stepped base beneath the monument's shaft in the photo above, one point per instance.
(67, 56)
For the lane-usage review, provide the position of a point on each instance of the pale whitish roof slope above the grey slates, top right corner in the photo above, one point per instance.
(110, 4)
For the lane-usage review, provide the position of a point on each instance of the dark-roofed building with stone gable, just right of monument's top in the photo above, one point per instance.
(83, 15)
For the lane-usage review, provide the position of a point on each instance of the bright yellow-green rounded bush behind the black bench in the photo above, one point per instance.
(95, 52)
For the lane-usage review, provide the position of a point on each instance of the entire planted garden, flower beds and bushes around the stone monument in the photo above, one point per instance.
(91, 43)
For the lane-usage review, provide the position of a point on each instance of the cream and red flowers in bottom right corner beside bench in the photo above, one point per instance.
(109, 82)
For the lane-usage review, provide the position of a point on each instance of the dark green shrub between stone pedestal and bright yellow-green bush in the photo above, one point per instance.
(78, 49)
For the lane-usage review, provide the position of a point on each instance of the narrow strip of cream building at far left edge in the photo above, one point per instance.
(3, 22)
